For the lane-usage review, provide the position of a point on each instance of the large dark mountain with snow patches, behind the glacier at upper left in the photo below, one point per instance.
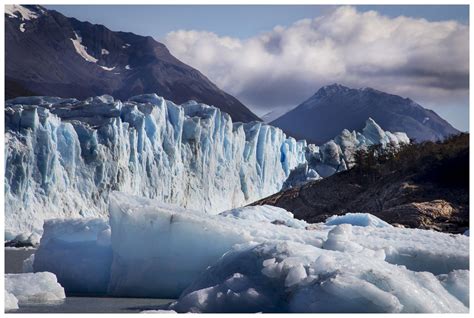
(52, 55)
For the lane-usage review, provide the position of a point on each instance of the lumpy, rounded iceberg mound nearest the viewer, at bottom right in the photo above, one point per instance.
(294, 277)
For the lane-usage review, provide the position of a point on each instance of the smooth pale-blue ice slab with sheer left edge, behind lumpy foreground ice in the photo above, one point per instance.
(159, 250)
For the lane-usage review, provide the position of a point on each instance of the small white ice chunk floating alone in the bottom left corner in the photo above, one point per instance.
(29, 288)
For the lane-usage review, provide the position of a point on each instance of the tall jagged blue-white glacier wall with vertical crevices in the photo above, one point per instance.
(64, 156)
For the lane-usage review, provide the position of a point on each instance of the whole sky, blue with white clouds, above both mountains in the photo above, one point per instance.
(275, 57)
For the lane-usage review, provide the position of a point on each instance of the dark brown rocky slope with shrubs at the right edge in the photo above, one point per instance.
(426, 185)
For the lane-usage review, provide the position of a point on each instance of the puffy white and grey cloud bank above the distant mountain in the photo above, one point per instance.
(427, 61)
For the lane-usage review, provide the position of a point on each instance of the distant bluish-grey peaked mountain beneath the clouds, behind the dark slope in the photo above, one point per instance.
(336, 107)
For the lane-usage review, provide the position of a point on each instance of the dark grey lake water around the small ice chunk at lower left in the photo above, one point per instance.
(13, 264)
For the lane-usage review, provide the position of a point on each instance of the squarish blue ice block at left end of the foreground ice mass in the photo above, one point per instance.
(78, 251)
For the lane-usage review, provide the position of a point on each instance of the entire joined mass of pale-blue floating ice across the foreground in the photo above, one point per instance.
(241, 260)
